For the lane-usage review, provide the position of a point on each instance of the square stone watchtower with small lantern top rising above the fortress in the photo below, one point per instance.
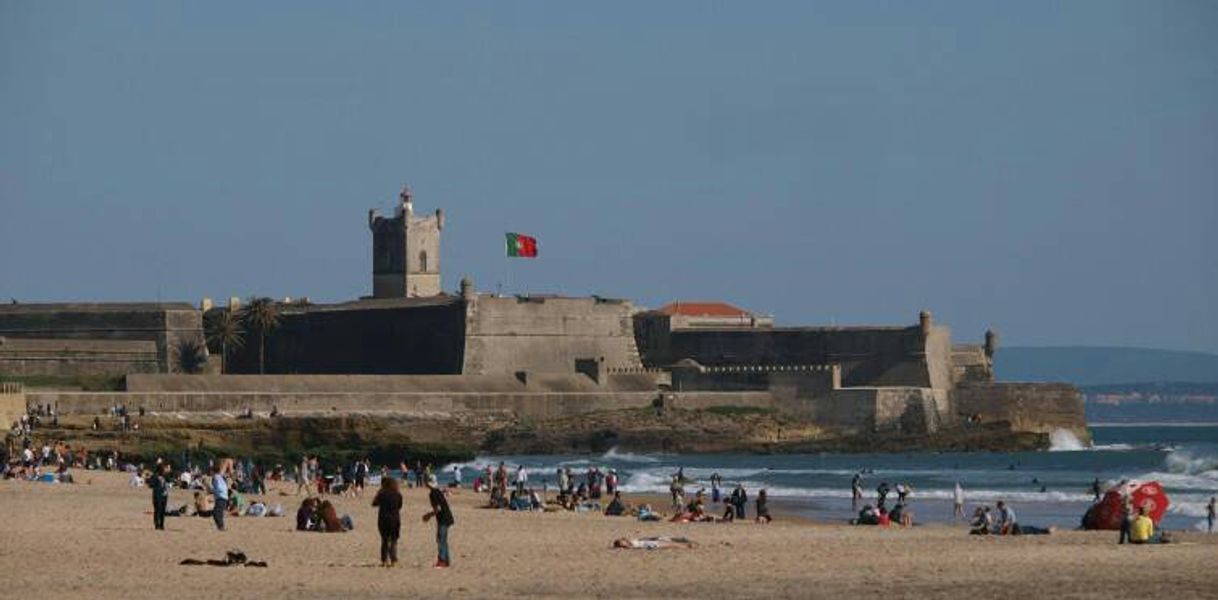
(406, 251)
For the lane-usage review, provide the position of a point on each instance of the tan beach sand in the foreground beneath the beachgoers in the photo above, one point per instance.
(97, 541)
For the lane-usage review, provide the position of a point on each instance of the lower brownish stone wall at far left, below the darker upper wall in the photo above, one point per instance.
(27, 357)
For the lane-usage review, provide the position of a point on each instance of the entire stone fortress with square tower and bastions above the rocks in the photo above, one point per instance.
(414, 349)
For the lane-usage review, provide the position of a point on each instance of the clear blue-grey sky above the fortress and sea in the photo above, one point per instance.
(1044, 169)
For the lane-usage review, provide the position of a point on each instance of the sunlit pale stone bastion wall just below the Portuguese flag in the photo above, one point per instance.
(547, 335)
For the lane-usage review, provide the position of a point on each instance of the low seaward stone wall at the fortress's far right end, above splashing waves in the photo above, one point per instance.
(1029, 407)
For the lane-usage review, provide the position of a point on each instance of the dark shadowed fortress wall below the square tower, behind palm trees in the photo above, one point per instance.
(365, 338)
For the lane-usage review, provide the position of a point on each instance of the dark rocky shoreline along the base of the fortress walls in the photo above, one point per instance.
(440, 439)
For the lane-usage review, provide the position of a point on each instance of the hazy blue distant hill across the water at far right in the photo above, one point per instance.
(1090, 366)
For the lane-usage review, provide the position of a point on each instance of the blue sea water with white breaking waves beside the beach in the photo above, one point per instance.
(1046, 489)
